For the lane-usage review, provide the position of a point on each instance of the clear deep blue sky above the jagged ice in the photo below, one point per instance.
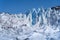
(17, 6)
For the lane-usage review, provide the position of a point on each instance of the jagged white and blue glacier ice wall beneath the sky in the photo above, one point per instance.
(39, 24)
